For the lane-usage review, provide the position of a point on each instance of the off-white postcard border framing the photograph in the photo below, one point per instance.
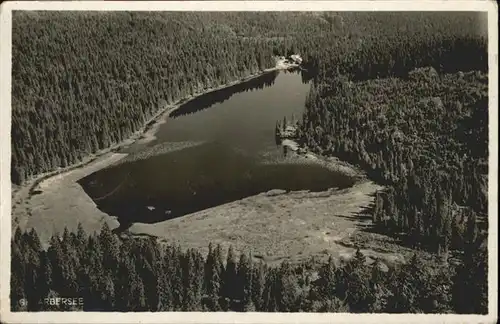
(197, 317)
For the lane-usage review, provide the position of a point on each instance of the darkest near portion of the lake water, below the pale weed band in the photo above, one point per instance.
(196, 178)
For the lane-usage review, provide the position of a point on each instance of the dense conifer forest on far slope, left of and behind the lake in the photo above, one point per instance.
(82, 81)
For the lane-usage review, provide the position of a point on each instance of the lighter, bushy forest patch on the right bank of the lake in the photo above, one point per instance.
(424, 137)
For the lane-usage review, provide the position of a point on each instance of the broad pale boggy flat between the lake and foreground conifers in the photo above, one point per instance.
(276, 225)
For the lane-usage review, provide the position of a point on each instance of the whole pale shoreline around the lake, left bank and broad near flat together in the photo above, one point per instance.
(49, 200)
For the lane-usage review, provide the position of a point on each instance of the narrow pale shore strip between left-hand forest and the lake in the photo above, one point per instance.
(143, 135)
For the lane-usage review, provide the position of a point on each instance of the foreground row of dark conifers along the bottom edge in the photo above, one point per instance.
(140, 274)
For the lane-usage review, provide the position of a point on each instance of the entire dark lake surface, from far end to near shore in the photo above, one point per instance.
(236, 155)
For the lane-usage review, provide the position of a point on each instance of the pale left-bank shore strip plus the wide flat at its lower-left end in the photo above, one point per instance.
(28, 198)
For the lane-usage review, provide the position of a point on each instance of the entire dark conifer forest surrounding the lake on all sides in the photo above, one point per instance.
(402, 95)
